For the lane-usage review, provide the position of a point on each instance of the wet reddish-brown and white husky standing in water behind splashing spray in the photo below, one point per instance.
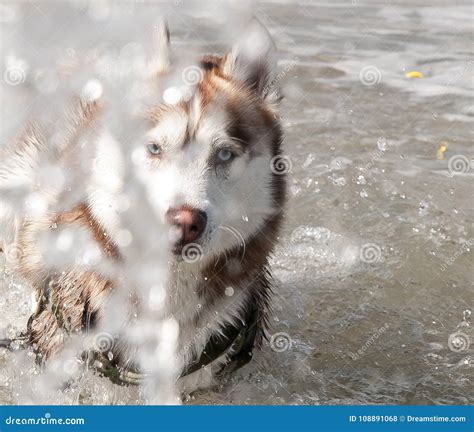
(214, 160)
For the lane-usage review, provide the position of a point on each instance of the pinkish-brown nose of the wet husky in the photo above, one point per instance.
(190, 223)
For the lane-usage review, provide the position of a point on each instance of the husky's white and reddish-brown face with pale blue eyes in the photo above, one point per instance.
(209, 158)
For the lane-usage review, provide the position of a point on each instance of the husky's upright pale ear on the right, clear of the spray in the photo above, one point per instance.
(252, 60)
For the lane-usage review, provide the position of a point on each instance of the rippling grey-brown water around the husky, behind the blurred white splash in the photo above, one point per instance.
(374, 271)
